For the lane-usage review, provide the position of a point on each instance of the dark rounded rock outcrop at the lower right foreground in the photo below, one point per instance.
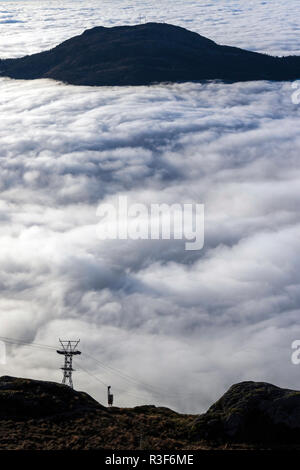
(252, 412)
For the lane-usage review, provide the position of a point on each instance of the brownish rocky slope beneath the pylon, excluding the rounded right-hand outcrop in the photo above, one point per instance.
(45, 415)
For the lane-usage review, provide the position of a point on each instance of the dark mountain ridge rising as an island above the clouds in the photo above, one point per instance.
(146, 54)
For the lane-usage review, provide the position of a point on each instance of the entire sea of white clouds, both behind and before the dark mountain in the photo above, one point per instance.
(188, 323)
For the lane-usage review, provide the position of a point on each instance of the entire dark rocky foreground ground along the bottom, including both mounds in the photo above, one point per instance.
(50, 416)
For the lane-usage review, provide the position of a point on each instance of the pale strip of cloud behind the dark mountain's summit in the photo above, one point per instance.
(32, 26)
